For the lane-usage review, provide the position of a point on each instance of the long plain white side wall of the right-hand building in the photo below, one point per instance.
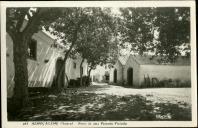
(165, 72)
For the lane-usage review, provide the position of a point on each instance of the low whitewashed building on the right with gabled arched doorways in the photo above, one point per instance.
(137, 69)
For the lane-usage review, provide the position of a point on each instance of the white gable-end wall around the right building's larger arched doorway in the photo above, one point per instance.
(131, 63)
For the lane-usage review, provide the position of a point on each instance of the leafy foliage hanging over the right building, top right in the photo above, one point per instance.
(159, 30)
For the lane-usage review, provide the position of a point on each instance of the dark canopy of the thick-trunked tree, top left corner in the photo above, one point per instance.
(35, 18)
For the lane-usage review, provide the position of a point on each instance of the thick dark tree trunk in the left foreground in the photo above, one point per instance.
(20, 97)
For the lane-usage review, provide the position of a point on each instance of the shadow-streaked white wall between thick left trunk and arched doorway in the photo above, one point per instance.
(40, 73)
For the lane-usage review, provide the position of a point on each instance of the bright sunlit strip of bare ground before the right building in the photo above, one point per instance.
(160, 95)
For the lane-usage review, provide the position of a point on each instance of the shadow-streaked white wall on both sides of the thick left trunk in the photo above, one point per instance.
(40, 74)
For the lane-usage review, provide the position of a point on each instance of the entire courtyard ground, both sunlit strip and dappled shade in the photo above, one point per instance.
(109, 103)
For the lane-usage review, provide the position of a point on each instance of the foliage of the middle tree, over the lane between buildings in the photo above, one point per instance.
(86, 31)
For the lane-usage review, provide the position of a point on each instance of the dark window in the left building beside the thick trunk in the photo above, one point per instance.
(32, 49)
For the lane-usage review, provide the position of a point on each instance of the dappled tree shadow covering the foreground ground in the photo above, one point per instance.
(77, 106)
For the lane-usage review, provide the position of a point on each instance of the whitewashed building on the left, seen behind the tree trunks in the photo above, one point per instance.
(43, 54)
